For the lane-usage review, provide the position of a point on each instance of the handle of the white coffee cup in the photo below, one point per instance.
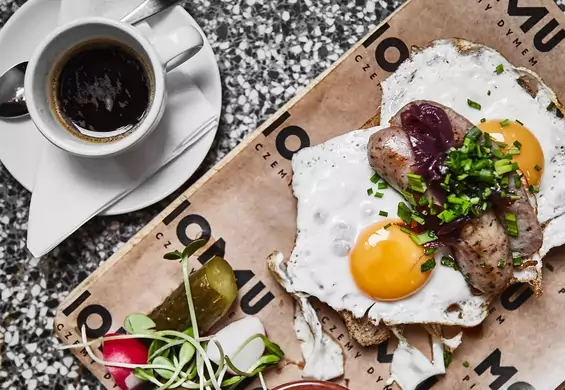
(174, 45)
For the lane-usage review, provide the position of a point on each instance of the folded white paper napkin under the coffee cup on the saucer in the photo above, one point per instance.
(70, 190)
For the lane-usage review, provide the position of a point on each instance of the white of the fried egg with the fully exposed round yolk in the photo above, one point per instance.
(330, 183)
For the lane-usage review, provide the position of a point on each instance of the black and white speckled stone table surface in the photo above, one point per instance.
(267, 51)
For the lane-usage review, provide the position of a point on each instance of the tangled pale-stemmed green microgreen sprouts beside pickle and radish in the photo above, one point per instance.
(179, 359)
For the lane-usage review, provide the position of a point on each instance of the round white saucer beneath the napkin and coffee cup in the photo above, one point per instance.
(21, 143)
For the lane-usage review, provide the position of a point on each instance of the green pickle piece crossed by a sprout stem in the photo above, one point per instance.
(213, 291)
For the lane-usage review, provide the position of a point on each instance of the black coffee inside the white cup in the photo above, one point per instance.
(102, 87)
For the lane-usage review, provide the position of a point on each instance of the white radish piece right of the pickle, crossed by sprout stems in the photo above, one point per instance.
(232, 337)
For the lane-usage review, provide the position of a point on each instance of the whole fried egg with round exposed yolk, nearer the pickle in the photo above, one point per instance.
(351, 252)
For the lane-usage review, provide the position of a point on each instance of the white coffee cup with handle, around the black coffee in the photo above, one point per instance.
(163, 43)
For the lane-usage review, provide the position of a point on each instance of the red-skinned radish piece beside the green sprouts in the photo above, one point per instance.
(130, 351)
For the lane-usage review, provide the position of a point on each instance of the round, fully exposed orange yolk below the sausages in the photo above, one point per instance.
(386, 263)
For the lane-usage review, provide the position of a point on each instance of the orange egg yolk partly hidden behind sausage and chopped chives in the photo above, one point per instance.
(530, 160)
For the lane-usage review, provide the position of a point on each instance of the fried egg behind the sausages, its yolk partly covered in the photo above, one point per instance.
(509, 103)
